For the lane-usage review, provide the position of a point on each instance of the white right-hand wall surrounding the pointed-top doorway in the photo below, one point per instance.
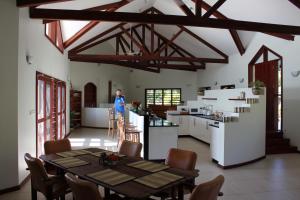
(238, 68)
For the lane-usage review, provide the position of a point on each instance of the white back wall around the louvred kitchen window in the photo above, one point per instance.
(140, 80)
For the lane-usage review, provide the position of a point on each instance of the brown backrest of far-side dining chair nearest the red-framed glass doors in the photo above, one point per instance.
(57, 146)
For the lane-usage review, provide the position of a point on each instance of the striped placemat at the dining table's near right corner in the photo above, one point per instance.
(158, 179)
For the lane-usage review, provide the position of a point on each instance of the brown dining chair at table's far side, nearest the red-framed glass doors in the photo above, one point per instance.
(52, 147)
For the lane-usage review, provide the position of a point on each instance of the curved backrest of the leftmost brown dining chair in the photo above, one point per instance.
(38, 173)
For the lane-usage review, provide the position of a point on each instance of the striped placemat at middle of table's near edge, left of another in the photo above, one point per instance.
(111, 177)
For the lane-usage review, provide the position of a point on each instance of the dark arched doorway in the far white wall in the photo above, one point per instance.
(90, 95)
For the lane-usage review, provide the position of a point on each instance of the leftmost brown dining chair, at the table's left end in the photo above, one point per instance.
(52, 187)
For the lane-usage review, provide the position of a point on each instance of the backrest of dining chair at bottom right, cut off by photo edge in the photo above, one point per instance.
(209, 190)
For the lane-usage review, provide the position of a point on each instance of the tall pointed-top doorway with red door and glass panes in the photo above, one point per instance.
(266, 66)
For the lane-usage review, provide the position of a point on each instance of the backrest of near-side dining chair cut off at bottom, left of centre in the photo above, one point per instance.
(82, 190)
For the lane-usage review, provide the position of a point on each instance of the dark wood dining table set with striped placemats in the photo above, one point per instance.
(130, 189)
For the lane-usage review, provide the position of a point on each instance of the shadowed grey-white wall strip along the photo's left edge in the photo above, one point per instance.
(9, 93)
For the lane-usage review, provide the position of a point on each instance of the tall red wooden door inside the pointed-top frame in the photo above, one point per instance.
(267, 72)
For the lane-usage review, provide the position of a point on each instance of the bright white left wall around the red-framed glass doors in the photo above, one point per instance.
(46, 59)
